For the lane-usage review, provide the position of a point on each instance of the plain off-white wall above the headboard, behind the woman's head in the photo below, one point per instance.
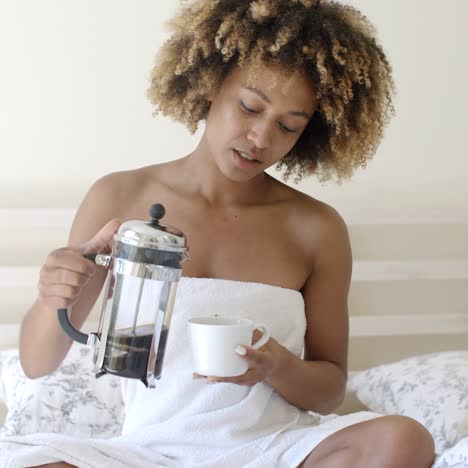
(72, 84)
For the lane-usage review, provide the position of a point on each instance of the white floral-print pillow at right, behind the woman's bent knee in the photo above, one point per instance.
(431, 388)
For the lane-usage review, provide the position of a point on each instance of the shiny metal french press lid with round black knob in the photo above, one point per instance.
(152, 234)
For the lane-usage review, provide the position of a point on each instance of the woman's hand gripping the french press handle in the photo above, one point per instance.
(65, 271)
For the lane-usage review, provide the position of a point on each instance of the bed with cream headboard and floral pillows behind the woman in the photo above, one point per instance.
(408, 326)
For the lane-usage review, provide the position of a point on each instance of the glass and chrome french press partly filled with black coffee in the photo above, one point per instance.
(144, 269)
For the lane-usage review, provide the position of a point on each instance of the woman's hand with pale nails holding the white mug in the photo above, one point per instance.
(263, 363)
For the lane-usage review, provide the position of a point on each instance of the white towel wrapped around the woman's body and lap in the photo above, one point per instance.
(187, 422)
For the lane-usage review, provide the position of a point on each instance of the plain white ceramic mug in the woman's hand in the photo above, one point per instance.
(214, 340)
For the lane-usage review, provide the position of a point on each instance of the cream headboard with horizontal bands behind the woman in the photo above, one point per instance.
(409, 292)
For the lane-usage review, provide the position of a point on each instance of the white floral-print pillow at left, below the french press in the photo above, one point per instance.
(69, 401)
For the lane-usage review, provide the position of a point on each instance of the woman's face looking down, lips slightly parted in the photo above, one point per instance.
(252, 124)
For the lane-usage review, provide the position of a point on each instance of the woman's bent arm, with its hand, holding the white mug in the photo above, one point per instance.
(318, 382)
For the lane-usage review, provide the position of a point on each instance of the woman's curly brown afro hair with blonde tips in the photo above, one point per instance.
(333, 43)
